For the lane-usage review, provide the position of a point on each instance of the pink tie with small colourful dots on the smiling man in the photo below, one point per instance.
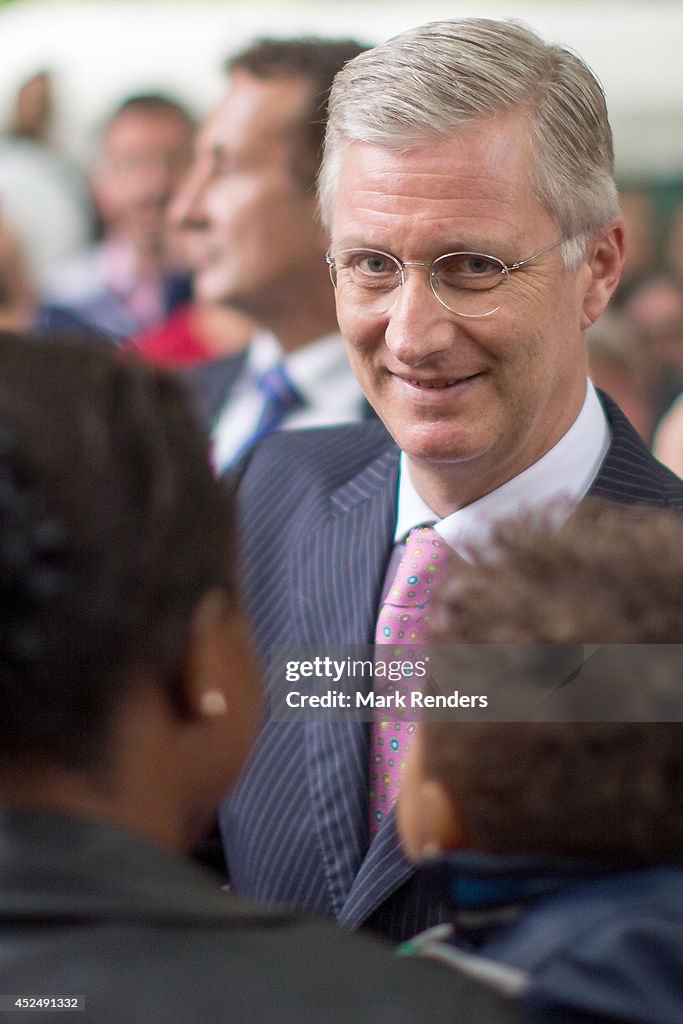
(403, 621)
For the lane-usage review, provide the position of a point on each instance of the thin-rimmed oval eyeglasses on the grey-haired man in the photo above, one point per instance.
(462, 282)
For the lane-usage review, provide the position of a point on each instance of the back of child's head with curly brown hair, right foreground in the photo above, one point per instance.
(611, 577)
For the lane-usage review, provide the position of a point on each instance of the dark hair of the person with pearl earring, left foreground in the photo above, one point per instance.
(113, 533)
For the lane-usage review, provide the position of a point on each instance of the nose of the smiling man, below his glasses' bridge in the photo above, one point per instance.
(417, 326)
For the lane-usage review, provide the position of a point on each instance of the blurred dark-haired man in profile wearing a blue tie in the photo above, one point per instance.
(249, 212)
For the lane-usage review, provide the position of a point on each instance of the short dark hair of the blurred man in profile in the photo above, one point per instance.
(310, 58)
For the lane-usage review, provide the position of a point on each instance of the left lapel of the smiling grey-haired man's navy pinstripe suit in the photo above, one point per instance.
(337, 582)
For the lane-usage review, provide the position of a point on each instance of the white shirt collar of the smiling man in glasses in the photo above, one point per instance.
(565, 474)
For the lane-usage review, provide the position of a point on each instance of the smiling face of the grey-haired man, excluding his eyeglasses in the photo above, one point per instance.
(472, 402)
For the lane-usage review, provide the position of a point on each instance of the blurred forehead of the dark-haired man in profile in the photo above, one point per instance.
(257, 112)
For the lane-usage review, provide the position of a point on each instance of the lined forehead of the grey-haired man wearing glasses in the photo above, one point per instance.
(473, 187)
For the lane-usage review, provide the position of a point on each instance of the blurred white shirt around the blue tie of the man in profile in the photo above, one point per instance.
(322, 375)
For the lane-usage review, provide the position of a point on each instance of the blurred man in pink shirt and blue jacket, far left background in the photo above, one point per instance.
(131, 281)
